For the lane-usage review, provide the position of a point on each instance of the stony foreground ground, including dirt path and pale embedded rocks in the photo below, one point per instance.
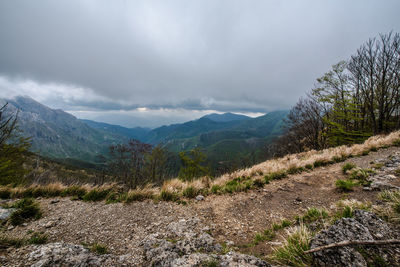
(203, 232)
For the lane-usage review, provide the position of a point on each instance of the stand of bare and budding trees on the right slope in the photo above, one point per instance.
(357, 98)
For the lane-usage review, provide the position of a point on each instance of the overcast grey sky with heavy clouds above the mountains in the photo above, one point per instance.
(149, 63)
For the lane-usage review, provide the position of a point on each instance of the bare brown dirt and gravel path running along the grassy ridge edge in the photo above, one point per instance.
(235, 217)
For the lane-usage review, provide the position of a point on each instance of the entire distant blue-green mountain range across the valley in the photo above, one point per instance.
(224, 137)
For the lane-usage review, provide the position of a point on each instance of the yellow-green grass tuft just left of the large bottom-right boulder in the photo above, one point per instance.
(292, 252)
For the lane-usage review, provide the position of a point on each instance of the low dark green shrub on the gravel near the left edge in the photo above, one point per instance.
(26, 209)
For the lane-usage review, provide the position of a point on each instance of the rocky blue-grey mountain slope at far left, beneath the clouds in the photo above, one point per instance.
(57, 134)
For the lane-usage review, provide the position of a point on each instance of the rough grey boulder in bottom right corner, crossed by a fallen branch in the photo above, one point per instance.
(364, 226)
